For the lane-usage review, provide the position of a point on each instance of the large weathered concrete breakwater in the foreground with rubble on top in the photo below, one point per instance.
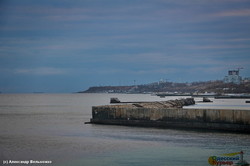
(166, 115)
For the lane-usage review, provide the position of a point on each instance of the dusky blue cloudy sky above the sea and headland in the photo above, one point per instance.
(62, 46)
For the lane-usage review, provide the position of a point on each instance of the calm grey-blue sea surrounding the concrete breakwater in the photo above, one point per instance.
(51, 128)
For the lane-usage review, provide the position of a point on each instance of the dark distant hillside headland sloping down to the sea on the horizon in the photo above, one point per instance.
(171, 87)
